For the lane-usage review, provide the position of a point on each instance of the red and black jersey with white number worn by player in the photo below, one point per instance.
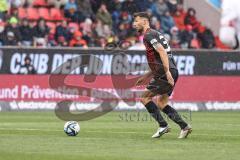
(152, 37)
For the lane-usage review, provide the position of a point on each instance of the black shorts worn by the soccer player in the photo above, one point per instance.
(159, 84)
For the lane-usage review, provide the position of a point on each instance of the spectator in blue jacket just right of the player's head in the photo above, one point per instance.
(167, 22)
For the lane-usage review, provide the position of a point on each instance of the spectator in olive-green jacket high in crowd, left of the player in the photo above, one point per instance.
(104, 16)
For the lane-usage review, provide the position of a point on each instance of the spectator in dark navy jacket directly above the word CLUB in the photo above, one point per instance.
(26, 33)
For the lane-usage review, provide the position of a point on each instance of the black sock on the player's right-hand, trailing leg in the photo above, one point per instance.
(173, 115)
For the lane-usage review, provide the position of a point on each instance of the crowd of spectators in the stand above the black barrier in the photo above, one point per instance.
(96, 23)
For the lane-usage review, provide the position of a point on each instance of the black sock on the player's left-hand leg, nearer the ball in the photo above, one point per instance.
(155, 113)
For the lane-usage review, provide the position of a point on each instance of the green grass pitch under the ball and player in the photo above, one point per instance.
(117, 136)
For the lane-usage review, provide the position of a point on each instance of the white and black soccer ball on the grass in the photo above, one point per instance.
(71, 128)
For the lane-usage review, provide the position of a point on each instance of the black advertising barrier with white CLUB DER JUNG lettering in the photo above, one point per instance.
(45, 61)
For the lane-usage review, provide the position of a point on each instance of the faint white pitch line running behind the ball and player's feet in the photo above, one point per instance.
(111, 132)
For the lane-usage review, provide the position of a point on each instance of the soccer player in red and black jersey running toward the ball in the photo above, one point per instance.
(164, 75)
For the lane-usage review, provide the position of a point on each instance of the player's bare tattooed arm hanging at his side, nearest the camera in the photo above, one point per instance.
(164, 57)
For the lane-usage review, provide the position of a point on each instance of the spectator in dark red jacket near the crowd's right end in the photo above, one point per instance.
(190, 19)
